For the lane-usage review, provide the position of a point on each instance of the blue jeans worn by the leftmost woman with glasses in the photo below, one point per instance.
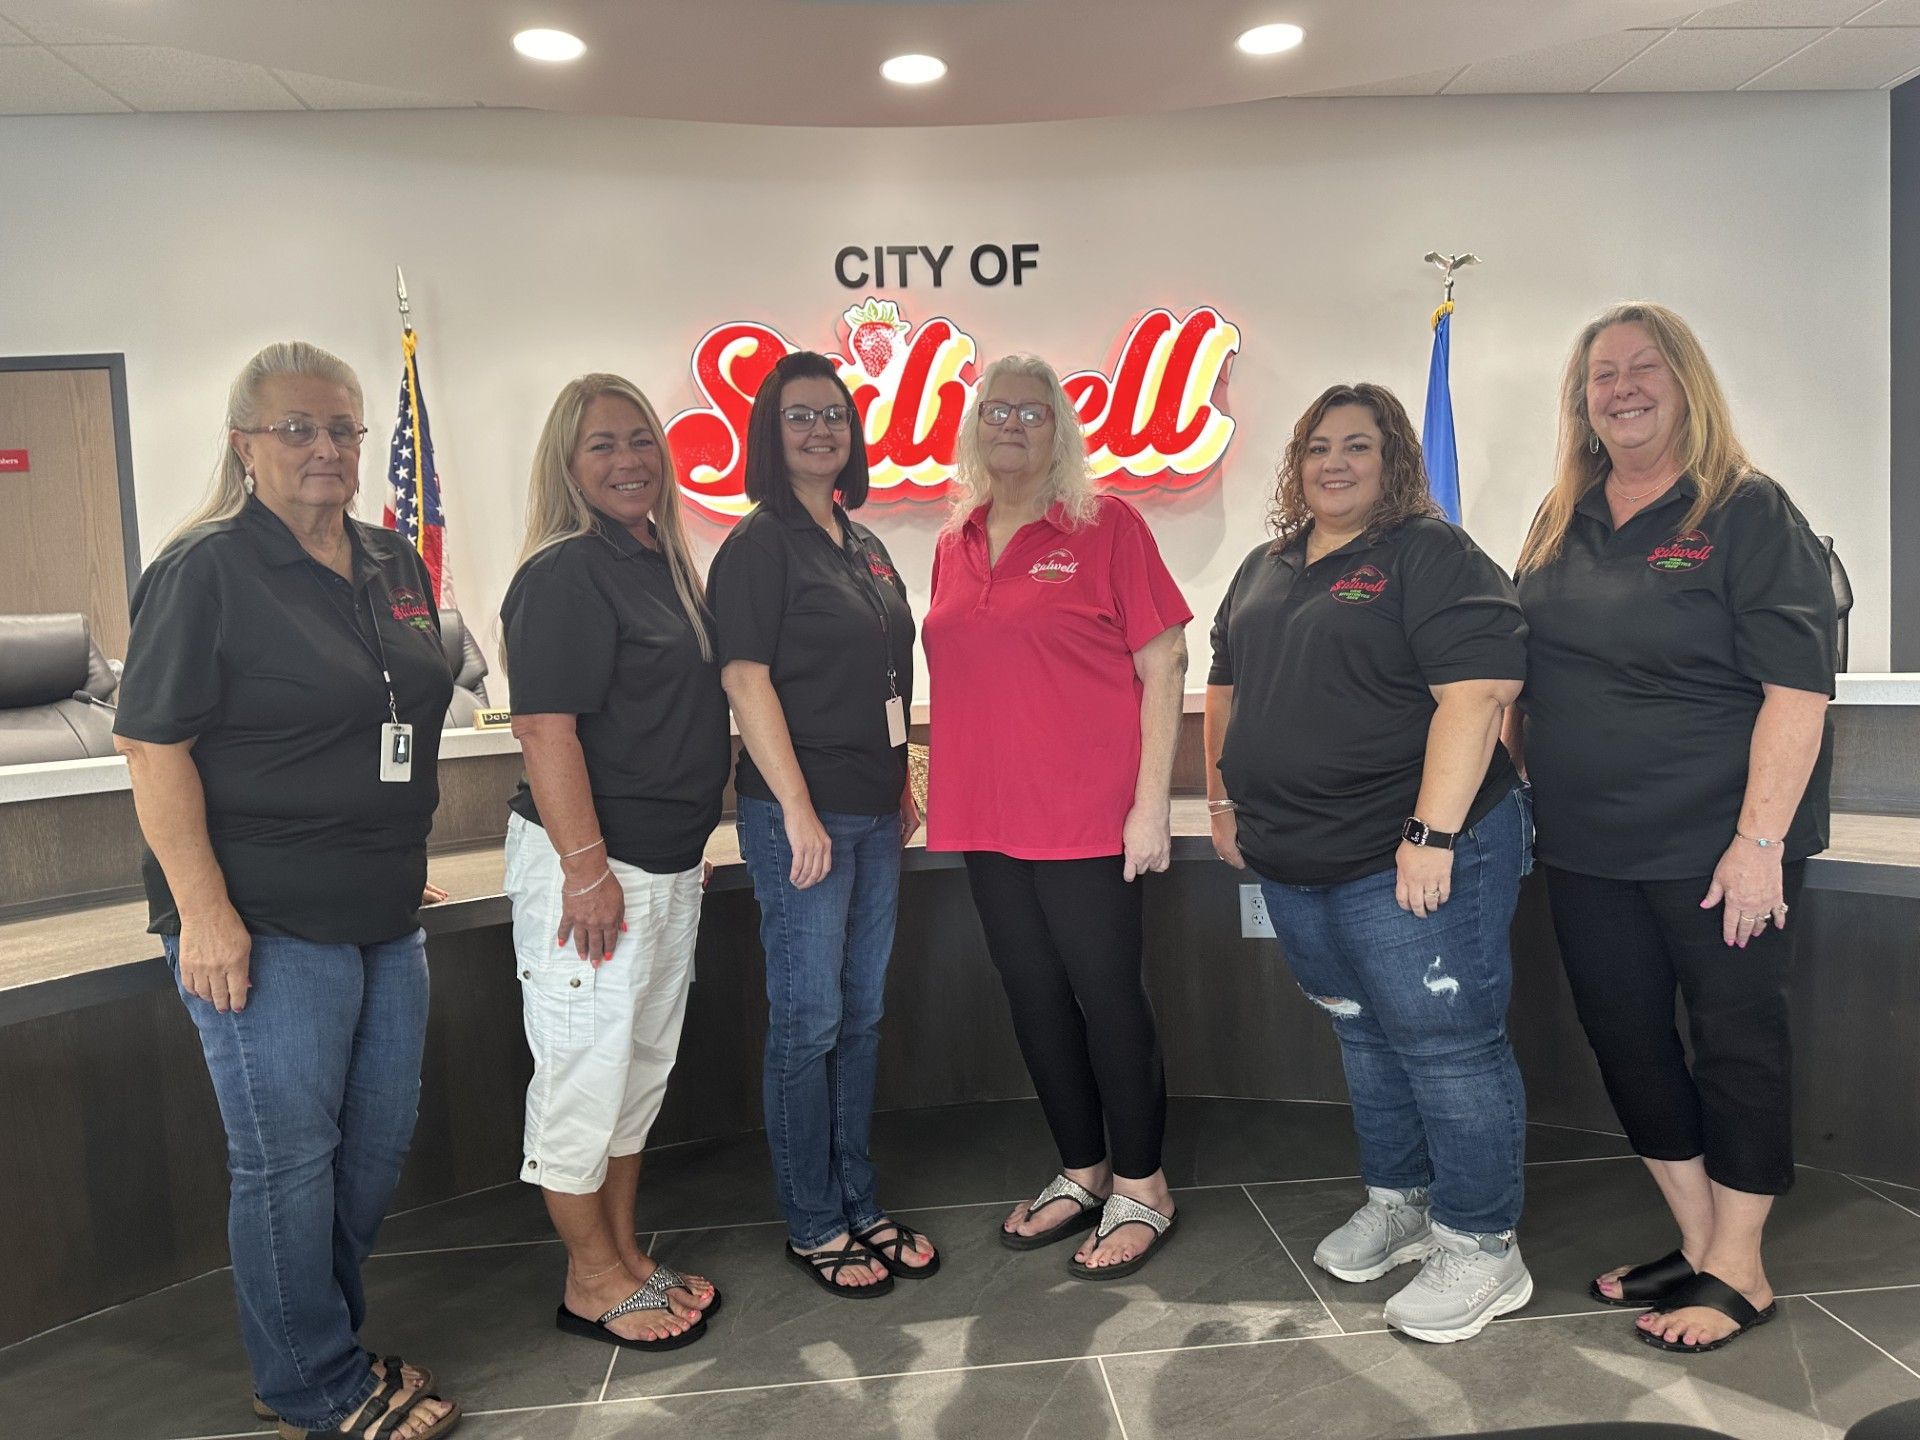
(320, 1084)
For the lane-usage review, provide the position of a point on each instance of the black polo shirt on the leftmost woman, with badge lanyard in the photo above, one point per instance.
(268, 661)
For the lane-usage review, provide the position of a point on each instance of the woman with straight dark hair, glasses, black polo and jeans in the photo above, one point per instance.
(817, 652)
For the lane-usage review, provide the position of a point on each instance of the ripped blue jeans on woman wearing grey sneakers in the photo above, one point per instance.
(1422, 1015)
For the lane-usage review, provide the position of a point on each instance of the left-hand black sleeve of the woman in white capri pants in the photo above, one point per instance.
(562, 638)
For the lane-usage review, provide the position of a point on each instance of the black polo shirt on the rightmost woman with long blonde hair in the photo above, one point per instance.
(1646, 658)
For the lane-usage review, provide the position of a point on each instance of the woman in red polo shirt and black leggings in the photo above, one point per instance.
(1057, 661)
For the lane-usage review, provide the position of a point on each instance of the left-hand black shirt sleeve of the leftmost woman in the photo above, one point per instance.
(174, 681)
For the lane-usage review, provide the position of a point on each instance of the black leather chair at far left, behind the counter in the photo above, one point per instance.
(45, 660)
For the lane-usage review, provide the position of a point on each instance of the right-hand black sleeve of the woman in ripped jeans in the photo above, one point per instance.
(1460, 613)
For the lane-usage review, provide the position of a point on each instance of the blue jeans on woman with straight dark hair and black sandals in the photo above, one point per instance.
(827, 978)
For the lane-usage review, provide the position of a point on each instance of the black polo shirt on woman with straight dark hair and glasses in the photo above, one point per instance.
(827, 621)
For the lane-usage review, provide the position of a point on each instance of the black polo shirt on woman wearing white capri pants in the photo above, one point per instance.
(594, 629)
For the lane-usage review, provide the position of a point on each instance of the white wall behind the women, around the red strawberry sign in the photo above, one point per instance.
(539, 247)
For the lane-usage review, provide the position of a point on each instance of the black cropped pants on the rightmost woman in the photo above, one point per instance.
(1627, 946)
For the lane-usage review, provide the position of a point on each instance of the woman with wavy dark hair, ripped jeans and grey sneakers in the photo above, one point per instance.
(1362, 663)
